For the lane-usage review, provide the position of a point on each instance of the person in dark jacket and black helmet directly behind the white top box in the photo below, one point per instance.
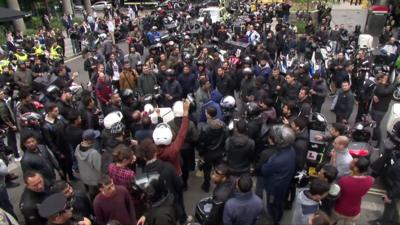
(171, 88)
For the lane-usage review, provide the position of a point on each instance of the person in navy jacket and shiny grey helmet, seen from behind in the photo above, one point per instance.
(279, 170)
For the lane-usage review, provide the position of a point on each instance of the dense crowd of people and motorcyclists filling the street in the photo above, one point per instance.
(133, 136)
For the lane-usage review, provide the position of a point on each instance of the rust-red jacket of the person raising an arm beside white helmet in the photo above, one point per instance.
(171, 152)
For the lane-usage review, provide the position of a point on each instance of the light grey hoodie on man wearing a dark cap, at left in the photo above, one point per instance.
(89, 164)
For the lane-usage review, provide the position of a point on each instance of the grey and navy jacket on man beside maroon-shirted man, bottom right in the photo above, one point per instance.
(303, 208)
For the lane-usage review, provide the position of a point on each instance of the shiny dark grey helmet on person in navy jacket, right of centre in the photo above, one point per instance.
(282, 135)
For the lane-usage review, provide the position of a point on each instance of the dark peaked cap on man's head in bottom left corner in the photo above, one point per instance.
(52, 205)
